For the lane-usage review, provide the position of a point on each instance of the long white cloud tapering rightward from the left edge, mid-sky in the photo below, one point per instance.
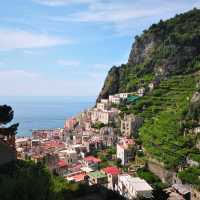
(11, 39)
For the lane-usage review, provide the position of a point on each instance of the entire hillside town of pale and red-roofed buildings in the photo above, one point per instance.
(68, 151)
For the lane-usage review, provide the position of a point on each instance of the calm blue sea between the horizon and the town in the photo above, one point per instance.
(44, 112)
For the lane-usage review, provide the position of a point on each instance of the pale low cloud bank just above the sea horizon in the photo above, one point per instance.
(26, 83)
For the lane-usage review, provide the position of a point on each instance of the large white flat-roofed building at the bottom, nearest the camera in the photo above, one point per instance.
(133, 187)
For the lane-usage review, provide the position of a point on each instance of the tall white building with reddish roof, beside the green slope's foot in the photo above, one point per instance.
(125, 150)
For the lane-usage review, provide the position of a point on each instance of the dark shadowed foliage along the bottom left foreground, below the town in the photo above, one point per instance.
(22, 180)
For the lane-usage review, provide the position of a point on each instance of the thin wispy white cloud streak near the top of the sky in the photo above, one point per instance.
(110, 13)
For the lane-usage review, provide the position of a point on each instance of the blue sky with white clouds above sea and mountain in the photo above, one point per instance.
(66, 47)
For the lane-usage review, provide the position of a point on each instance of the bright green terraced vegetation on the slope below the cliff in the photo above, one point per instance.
(161, 133)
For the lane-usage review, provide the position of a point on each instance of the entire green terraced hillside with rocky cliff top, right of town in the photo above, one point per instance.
(169, 52)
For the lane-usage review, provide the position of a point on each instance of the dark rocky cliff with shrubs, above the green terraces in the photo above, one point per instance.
(168, 48)
